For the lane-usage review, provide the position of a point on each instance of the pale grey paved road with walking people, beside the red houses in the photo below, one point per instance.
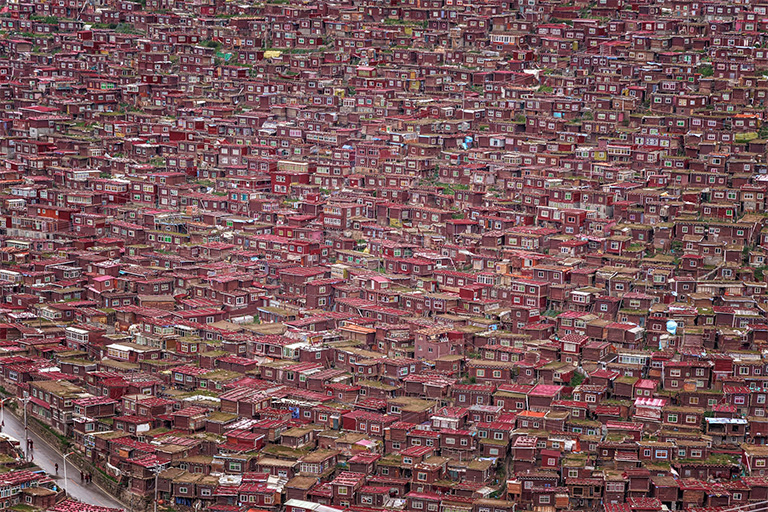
(45, 457)
